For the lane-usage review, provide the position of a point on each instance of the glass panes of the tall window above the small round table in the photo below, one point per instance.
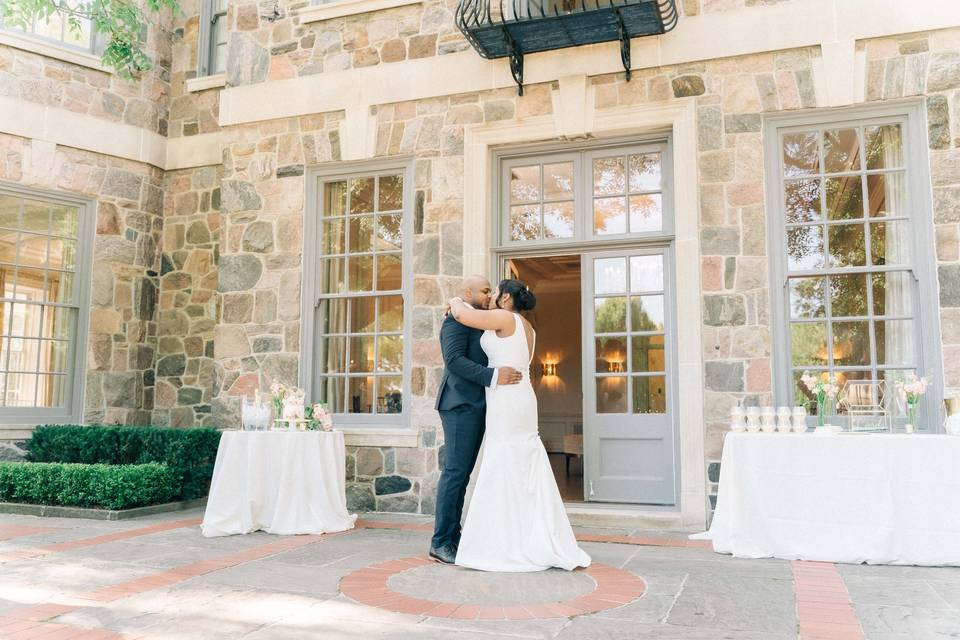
(359, 368)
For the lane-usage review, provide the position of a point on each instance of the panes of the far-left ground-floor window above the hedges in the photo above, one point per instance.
(40, 301)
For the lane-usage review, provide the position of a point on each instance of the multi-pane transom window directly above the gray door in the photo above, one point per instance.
(602, 194)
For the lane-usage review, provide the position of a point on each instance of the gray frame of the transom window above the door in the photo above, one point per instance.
(582, 158)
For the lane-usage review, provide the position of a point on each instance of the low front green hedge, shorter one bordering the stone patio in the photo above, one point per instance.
(88, 485)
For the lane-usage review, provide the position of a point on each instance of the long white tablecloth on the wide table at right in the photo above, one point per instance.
(877, 498)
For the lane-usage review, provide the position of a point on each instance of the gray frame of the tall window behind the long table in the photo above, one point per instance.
(910, 115)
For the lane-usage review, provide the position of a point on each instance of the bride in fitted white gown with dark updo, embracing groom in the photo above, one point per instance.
(516, 520)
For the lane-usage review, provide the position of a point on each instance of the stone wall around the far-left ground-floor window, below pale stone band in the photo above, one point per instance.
(129, 207)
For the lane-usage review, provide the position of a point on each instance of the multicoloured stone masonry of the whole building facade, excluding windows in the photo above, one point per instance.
(202, 302)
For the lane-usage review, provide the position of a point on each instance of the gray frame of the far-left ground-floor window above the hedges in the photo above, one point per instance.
(76, 354)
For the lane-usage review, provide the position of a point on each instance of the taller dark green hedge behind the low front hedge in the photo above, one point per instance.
(189, 453)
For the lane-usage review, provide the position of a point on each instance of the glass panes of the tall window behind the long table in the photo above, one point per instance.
(850, 288)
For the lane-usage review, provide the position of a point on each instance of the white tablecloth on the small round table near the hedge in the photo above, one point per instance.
(280, 482)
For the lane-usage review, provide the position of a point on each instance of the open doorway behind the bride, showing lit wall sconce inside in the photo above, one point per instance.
(556, 370)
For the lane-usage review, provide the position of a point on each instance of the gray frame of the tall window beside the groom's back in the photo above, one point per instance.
(311, 297)
